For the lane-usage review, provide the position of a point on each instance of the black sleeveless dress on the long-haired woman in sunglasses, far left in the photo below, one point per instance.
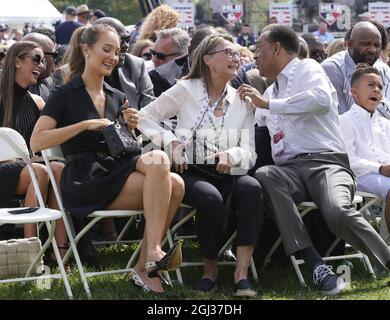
(25, 114)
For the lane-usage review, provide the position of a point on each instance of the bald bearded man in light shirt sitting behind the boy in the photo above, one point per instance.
(364, 47)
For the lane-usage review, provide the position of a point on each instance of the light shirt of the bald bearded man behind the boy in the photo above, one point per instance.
(340, 68)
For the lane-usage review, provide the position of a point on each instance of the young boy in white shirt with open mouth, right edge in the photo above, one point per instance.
(367, 137)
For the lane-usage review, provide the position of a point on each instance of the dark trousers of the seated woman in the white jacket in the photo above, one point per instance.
(209, 196)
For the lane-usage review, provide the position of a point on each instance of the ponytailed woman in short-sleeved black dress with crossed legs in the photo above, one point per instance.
(92, 180)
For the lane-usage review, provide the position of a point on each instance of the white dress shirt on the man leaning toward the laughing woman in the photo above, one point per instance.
(306, 112)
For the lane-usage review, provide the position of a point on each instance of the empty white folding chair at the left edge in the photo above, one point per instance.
(12, 145)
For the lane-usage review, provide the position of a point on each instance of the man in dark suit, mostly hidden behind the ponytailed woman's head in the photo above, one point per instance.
(130, 75)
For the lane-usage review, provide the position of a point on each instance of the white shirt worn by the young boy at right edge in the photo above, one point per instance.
(367, 140)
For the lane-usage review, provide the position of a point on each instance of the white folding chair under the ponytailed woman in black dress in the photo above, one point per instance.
(56, 154)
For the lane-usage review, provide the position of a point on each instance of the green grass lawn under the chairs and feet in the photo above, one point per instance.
(277, 281)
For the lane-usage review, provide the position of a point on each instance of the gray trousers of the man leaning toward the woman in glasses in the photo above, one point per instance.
(325, 179)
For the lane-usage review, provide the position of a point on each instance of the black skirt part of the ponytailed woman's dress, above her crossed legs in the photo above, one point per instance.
(91, 184)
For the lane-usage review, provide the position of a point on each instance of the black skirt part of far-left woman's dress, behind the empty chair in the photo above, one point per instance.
(9, 180)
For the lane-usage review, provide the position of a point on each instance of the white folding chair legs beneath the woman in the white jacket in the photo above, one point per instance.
(171, 231)
